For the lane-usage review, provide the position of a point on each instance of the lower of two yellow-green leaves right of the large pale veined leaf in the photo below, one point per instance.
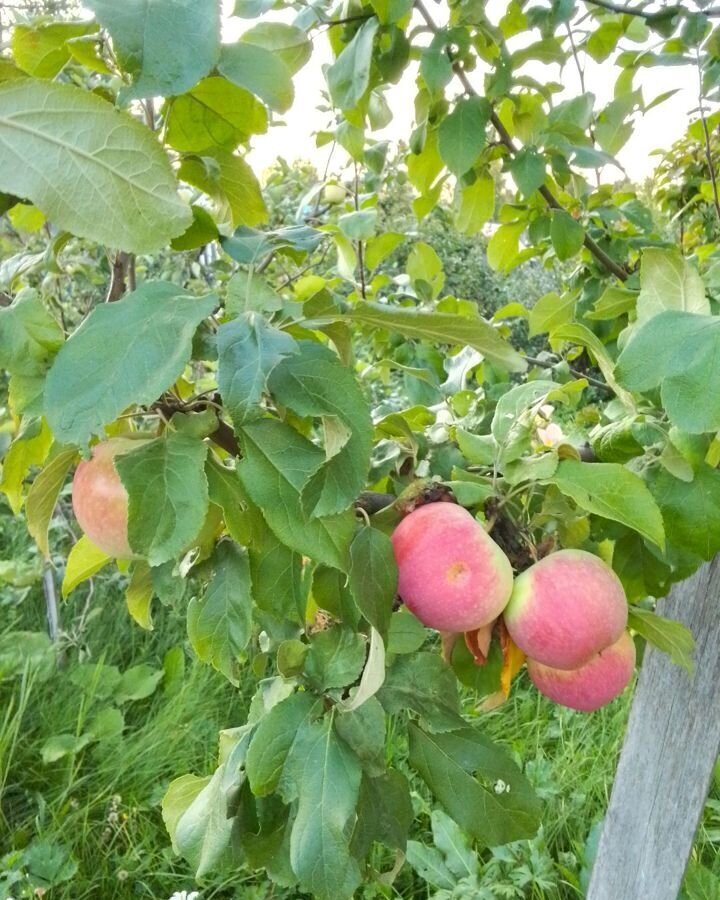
(230, 182)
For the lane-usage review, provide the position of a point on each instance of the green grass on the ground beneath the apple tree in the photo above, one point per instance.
(89, 823)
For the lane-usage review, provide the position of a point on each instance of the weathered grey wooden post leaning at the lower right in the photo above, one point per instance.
(667, 760)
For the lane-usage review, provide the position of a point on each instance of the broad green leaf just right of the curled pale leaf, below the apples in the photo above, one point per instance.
(423, 683)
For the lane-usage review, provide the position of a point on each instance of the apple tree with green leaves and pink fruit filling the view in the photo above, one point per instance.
(254, 447)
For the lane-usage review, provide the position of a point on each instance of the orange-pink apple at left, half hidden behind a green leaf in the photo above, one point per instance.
(100, 501)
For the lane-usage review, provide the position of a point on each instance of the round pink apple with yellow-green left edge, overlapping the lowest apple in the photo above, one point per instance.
(566, 608)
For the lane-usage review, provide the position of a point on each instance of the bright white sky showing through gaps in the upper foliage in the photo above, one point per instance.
(656, 130)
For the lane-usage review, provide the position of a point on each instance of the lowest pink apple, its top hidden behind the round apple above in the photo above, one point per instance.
(604, 677)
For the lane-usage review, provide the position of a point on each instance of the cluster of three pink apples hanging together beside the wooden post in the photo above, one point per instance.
(567, 613)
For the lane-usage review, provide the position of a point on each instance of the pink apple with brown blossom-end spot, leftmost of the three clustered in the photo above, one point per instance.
(452, 575)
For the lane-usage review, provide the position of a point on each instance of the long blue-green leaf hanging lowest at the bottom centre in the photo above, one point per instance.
(328, 782)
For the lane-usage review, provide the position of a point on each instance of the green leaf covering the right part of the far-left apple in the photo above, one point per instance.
(168, 495)
